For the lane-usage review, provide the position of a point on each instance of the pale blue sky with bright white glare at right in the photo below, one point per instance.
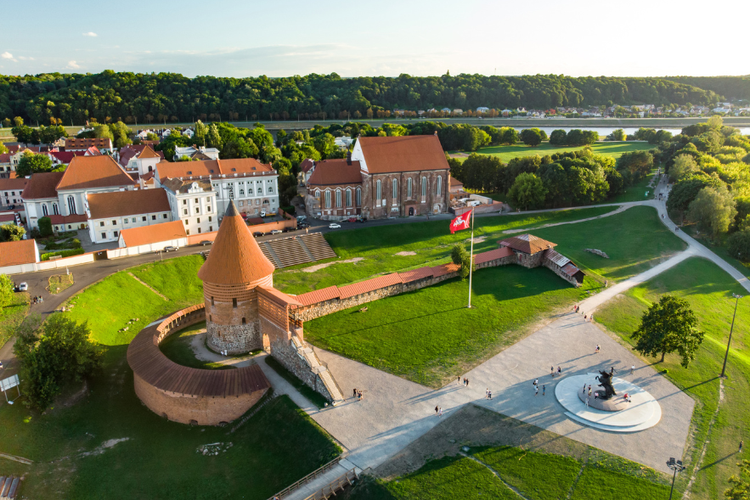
(380, 38)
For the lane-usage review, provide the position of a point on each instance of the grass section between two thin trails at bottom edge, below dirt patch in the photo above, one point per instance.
(538, 476)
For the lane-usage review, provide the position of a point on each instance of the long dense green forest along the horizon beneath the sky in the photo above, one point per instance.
(55, 98)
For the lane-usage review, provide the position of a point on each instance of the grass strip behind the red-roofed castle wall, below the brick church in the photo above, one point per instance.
(430, 242)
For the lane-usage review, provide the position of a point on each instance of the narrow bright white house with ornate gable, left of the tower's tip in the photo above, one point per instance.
(194, 203)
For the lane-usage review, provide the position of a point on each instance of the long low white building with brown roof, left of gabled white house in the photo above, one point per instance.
(110, 213)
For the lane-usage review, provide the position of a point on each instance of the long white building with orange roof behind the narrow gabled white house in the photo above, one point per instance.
(252, 185)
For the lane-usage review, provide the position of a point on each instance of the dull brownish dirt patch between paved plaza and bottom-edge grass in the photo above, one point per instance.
(475, 426)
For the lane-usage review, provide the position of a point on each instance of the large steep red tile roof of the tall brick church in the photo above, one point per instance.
(403, 154)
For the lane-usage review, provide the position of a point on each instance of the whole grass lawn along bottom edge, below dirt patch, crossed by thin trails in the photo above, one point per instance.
(536, 476)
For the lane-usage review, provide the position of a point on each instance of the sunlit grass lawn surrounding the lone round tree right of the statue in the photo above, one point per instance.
(708, 289)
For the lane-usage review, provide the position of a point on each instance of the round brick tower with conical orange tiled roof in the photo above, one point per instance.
(233, 270)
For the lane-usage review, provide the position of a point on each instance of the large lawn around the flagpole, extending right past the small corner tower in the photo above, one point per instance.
(428, 336)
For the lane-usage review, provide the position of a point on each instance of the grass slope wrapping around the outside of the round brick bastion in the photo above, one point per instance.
(109, 445)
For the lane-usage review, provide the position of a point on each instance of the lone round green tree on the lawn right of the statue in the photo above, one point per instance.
(669, 326)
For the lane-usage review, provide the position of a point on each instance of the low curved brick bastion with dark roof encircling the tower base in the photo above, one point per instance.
(190, 395)
